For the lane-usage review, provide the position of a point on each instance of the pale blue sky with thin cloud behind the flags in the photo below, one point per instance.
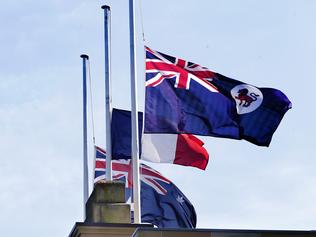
(263, 43)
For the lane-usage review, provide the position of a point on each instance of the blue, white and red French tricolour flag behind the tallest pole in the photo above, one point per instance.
(181, 149)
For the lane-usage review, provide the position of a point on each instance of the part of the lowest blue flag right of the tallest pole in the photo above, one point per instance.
(163, 204)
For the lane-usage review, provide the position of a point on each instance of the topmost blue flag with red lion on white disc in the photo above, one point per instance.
(184, 97)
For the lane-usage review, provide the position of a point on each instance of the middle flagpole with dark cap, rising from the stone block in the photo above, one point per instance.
(108, 93)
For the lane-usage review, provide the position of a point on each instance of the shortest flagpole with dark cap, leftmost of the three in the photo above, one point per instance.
(85, 58)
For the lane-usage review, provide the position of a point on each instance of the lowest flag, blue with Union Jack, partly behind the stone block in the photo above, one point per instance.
(162, 203)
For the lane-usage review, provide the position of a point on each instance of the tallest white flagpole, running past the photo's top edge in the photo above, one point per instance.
(135, 142)
